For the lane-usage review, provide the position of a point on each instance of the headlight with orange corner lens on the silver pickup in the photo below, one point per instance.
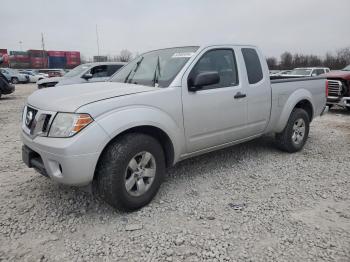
(68, 124)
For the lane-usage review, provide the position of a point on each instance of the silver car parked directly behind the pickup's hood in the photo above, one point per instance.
(85, 73)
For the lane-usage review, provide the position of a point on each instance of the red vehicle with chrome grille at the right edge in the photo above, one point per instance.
(339, 88)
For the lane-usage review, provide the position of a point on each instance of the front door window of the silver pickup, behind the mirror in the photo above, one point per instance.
(221, 60)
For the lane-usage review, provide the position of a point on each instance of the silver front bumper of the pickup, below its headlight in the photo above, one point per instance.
(70, 161)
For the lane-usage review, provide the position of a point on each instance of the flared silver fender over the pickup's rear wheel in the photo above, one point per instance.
(289, 105)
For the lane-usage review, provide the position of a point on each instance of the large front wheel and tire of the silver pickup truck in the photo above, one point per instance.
(130, 171)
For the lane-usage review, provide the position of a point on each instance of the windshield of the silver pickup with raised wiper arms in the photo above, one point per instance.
(155, 68)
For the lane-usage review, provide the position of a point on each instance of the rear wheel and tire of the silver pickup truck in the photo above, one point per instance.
(294, 135)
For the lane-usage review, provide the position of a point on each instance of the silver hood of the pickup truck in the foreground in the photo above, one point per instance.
(69, 98)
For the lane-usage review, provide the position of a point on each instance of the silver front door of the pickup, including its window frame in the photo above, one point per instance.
(216, 114)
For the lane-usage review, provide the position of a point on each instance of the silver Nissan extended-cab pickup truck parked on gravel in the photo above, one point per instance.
(165, 106)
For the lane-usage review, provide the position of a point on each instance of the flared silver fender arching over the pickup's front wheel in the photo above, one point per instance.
(122, 119)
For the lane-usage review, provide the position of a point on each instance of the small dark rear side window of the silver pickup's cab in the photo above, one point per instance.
(253, 65)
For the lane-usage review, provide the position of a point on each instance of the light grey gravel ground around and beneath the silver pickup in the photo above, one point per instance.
(250, 202)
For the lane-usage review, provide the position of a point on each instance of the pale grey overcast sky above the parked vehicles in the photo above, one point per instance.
(298, 26)
